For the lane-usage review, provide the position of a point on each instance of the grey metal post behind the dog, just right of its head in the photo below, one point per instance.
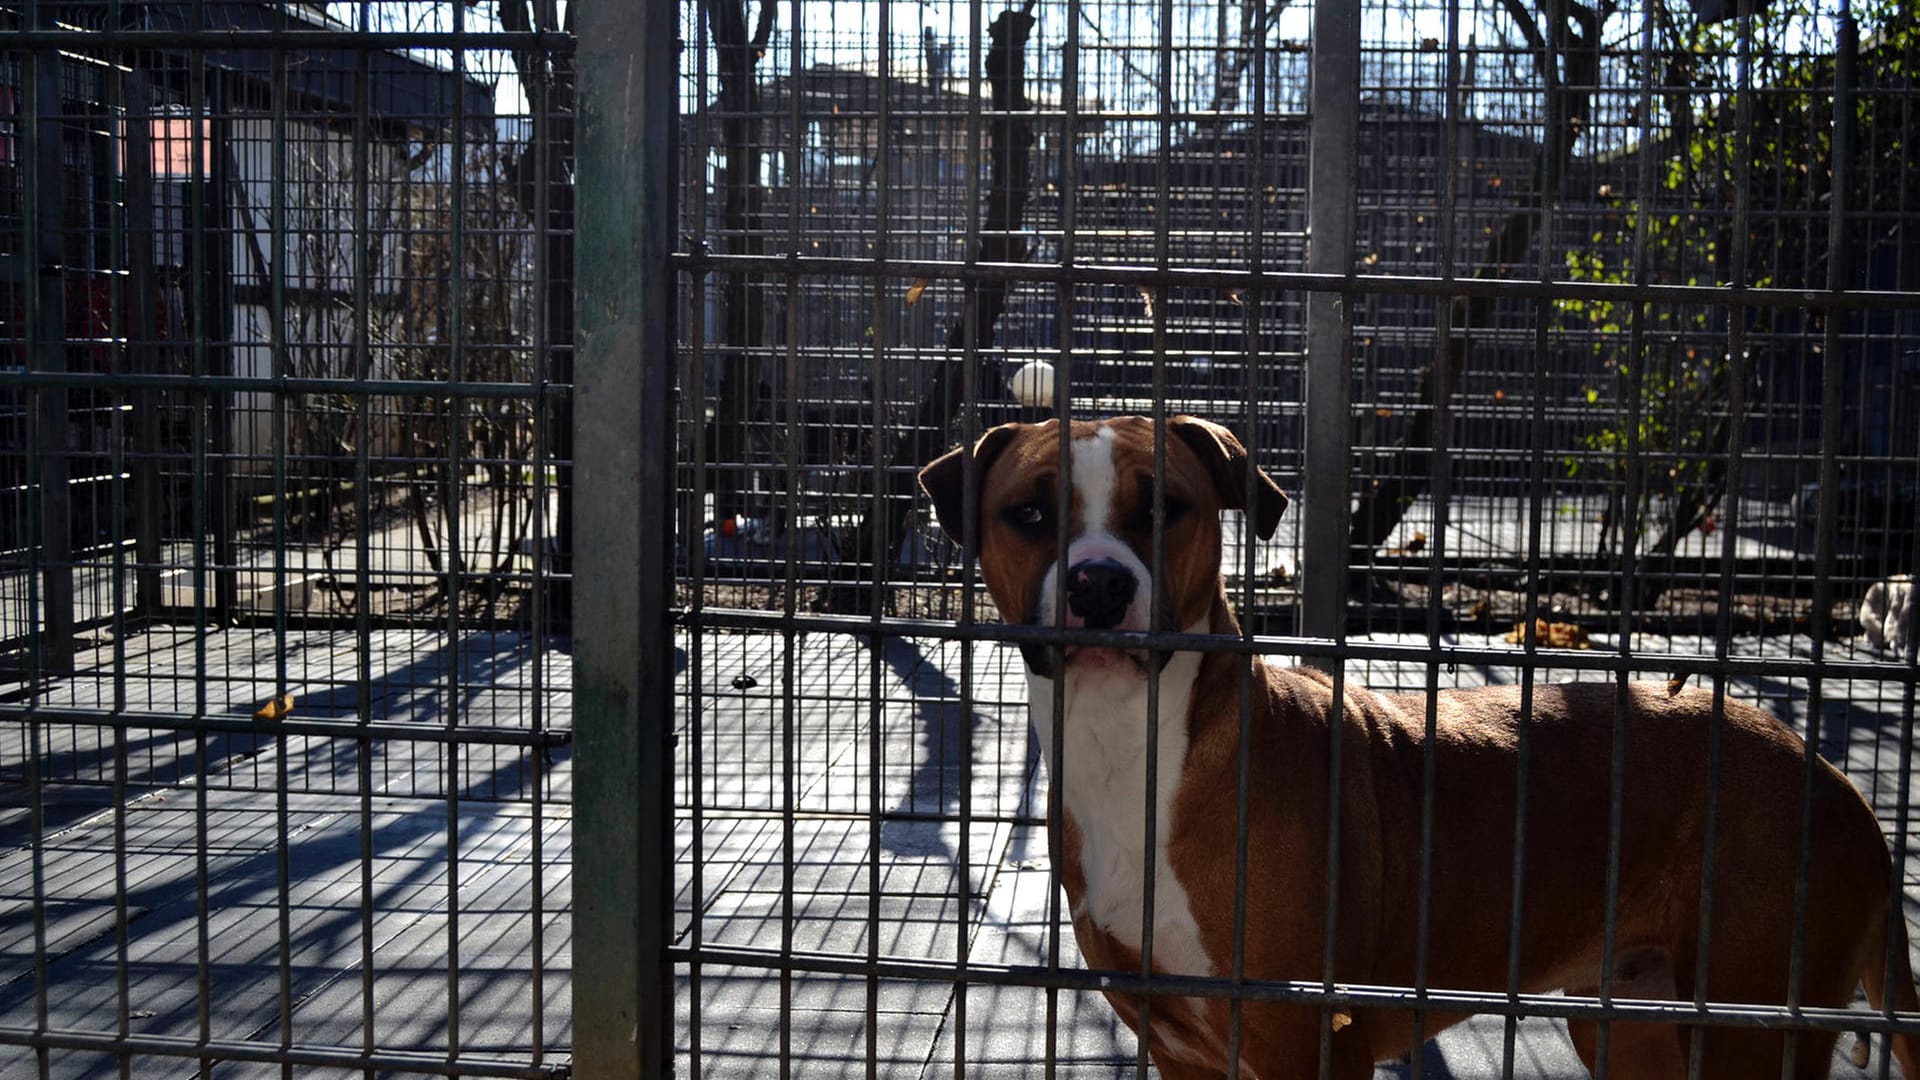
(1332, 149)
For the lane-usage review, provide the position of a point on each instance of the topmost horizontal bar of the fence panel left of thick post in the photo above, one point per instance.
(291, 39)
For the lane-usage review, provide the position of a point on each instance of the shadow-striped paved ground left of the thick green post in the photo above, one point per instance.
(385, 883)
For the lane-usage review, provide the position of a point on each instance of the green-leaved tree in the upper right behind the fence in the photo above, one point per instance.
(1783, 151)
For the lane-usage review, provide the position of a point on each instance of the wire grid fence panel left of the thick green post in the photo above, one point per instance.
(285, 320)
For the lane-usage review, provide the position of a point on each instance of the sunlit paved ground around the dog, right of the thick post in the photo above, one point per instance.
(942, 889)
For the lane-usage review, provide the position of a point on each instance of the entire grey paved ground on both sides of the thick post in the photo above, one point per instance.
(383, 891)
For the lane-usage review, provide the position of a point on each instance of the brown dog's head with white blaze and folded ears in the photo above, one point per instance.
(1109, 501)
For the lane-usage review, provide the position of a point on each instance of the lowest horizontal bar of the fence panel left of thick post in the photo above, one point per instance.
(235, 1050)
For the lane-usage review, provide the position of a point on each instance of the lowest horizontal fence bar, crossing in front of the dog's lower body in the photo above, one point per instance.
(1554, 1006)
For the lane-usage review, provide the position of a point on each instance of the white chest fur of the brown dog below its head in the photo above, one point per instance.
(1101, 772)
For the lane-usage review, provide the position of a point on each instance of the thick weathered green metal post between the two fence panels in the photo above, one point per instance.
(623, 650)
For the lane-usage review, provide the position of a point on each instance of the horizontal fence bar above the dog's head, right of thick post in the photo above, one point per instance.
(1276, 282)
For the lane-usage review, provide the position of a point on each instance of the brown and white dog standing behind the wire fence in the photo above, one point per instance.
(1101, 770)
